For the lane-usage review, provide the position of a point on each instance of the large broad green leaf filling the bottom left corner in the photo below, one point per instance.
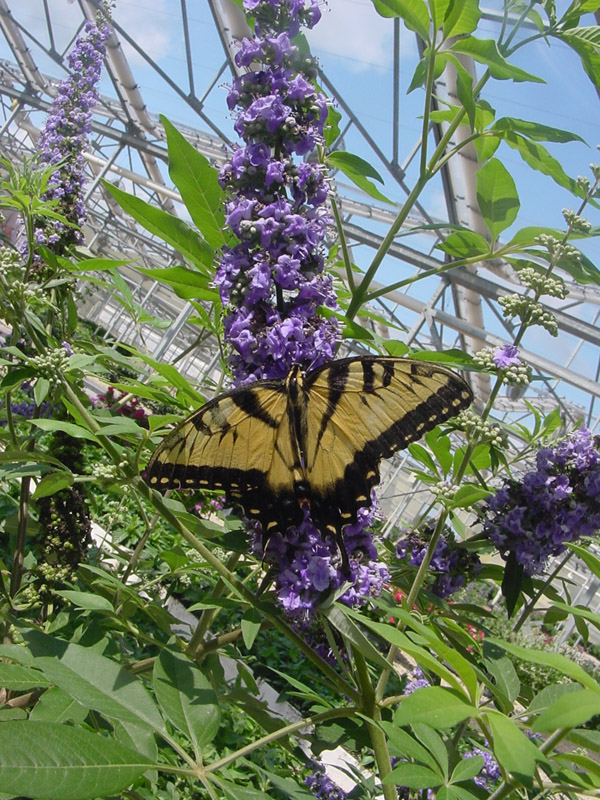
(49, 760)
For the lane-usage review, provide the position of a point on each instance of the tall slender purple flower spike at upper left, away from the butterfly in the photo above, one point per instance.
(64, 135)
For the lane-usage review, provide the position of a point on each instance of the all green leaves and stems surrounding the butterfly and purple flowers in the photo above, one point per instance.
(105, 692)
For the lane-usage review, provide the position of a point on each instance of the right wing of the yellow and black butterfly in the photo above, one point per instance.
(361, 410)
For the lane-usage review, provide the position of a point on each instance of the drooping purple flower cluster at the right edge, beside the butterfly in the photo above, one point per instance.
(556, 503)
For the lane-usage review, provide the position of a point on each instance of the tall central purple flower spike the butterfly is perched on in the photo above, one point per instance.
(272, 280)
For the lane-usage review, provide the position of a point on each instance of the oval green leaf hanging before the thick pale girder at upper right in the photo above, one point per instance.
(497, 196)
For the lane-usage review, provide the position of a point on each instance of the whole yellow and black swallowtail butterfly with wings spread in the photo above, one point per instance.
(315, 437)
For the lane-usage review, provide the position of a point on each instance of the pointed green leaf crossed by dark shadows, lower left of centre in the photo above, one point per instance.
(187, 698)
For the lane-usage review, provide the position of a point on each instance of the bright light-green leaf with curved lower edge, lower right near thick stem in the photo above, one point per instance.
(435, 706)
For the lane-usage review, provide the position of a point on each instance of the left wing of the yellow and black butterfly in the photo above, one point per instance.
(240, 443)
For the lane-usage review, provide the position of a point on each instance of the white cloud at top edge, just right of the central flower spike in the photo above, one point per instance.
(353, 31)
